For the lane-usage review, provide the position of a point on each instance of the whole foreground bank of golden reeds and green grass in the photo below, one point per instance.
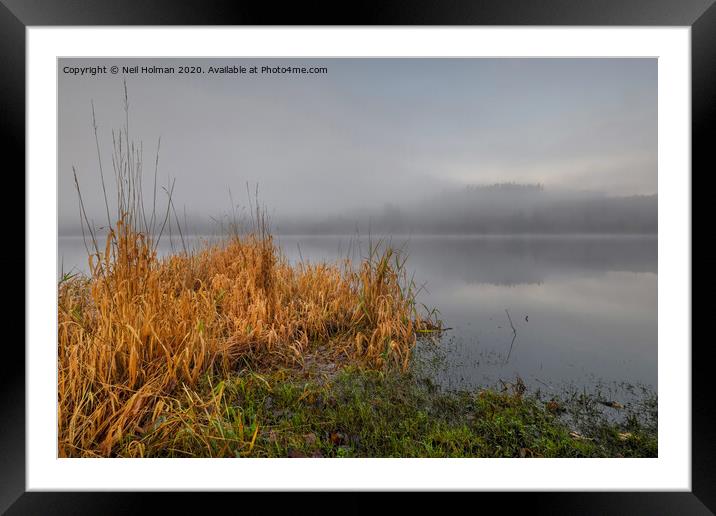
(229, 350)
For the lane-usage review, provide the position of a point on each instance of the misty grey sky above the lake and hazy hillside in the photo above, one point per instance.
(366, 133)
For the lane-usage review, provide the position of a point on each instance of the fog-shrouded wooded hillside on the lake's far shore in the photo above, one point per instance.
(498, 208)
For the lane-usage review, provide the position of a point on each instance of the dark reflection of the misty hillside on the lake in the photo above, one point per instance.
(504, 261)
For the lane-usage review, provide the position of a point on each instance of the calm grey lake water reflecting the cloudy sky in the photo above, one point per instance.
(584, 308)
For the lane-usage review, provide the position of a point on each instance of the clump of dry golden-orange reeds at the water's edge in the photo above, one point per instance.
(140, 328)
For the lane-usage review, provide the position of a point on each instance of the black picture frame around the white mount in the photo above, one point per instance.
(16, 15)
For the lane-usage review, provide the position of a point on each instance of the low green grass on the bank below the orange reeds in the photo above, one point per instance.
(358, 413)
